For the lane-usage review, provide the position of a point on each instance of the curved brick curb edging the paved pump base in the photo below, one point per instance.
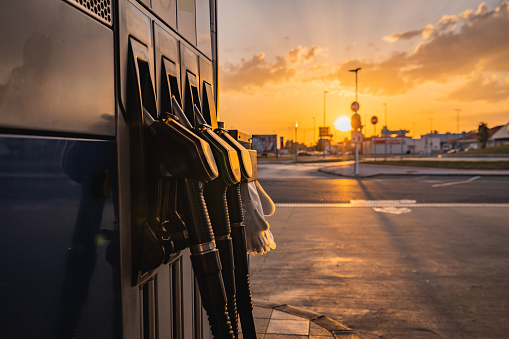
(329, 324)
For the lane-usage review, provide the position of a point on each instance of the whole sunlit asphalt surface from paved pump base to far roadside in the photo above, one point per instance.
(418, 272)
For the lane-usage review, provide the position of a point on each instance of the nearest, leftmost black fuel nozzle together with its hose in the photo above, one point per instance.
(186, 156)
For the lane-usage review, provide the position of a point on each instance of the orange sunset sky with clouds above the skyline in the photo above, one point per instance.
(425, 59)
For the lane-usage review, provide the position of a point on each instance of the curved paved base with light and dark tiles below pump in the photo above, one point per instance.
(281, 321)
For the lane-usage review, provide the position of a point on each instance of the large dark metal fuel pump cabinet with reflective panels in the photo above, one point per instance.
(93, 235)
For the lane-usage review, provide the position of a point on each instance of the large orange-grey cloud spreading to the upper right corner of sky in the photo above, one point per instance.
(478, 46)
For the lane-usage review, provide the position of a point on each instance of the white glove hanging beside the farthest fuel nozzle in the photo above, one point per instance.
(259, 239)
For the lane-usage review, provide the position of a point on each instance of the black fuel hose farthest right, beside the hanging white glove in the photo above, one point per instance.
(238, 233)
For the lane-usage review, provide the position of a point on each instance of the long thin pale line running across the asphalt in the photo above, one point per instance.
(348, 205)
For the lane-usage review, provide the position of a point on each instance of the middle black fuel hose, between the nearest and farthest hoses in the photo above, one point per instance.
(215, 197)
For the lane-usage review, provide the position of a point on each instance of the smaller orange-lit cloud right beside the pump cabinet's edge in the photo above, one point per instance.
(258, 72)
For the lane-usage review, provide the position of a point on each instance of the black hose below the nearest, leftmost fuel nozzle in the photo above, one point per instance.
(206, 262)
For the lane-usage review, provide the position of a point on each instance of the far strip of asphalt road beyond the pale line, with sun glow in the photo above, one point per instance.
(307, 185)
